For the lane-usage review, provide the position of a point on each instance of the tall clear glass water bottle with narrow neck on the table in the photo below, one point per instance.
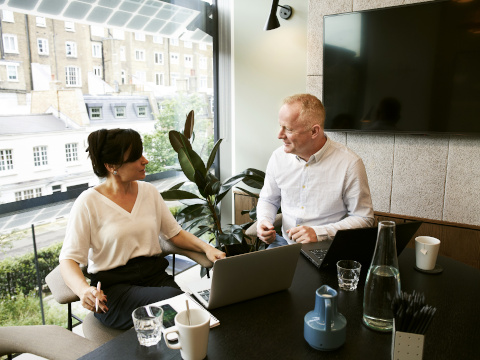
(383, 280)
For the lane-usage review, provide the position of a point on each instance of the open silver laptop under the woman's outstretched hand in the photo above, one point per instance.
(247, 276)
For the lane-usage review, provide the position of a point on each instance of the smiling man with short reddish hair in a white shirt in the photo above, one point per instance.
(320, 185)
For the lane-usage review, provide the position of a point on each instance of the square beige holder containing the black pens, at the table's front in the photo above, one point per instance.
(406, 346)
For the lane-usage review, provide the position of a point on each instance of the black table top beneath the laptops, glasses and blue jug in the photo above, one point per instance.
(272, 325)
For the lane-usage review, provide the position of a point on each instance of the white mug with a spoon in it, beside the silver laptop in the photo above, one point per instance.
(193, 338)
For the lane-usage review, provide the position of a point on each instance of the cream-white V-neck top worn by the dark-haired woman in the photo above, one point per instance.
(104, 235)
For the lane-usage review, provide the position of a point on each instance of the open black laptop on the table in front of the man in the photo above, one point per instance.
(355, 244)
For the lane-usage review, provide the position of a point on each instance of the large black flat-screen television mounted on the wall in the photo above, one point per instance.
(406, 69)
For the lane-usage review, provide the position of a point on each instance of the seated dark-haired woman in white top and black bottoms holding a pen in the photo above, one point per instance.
(114, 228)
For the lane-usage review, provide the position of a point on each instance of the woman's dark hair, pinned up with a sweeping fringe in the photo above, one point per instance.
(109, 147)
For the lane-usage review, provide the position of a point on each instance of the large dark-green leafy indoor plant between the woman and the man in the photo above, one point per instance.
(201, 214)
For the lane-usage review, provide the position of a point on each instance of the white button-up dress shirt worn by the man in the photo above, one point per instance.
(329, 192)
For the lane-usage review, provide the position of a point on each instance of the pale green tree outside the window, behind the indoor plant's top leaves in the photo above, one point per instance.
(157, 145)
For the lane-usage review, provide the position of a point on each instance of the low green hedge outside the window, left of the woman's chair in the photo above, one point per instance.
(18, 275)
